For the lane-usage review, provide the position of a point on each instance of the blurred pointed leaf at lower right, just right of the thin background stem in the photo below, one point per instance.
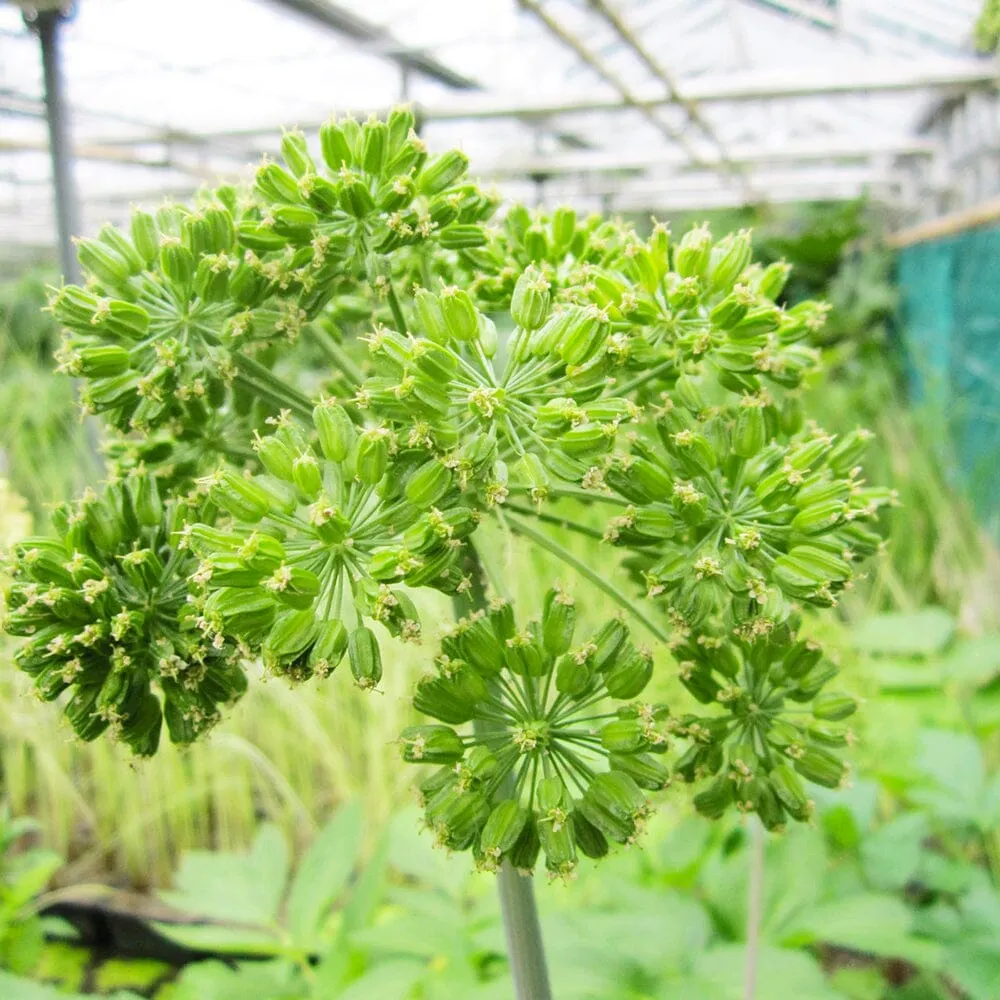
(869, 923)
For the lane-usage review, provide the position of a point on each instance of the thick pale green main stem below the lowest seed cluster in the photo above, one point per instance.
(525, 950)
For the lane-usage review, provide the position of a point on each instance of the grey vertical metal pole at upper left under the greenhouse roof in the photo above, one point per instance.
(46, 23)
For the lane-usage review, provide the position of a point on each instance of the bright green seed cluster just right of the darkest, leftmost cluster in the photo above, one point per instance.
(320, 537)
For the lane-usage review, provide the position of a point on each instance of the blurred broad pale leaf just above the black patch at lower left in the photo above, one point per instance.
(241, 888)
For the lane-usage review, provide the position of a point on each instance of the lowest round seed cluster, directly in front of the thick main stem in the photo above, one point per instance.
(549, 767)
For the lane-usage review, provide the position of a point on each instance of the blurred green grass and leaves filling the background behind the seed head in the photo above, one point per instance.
(894, 893)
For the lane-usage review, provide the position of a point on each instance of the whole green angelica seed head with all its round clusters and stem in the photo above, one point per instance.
(335, 376)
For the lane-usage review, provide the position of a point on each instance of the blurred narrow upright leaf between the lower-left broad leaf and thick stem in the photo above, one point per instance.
(322, 875)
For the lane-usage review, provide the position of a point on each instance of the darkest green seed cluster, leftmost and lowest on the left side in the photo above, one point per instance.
(105, 612)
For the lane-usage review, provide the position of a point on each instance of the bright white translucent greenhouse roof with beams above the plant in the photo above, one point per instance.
(623, 105)
